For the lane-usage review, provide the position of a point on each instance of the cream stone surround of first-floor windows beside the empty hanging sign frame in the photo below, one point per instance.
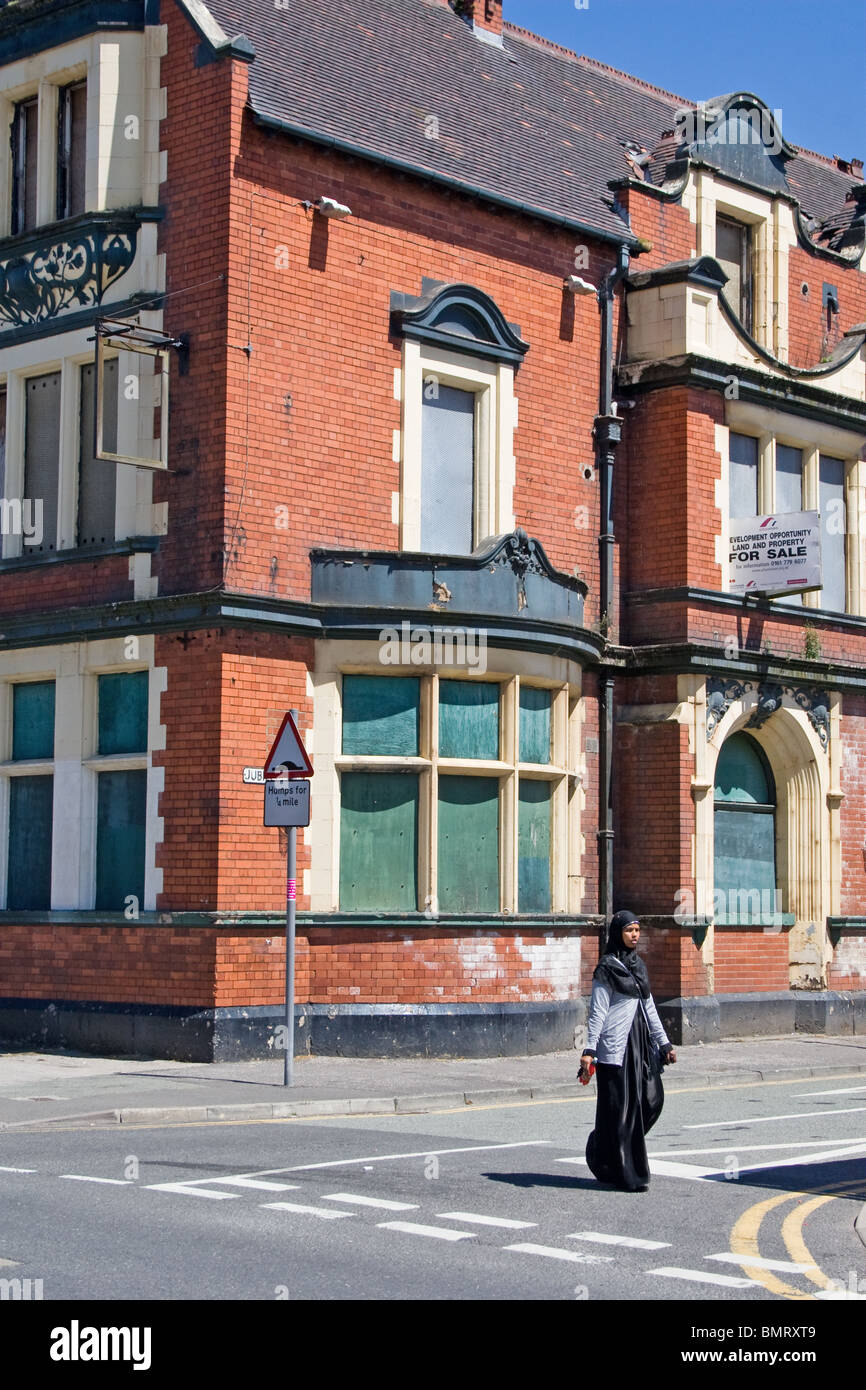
(134, 511)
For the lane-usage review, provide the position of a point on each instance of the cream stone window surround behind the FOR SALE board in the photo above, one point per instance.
(772, 427)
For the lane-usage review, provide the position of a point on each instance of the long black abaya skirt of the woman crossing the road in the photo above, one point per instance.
(630, 1100)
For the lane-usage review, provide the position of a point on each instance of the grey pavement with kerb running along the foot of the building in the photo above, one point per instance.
(41, 1090)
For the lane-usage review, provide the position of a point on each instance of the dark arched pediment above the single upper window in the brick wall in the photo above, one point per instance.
(459, 318)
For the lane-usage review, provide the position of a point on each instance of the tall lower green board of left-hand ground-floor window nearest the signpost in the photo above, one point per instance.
(120, 839)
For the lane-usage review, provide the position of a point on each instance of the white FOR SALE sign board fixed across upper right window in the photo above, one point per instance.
(776, 555)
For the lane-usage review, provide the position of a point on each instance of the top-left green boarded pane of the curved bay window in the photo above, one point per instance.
(382, 715)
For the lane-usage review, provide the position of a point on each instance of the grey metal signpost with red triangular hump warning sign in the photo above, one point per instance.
(287, 803)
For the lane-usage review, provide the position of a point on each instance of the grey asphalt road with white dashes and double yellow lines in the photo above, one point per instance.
(754, 1199)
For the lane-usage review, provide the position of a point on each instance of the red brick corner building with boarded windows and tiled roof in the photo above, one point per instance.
(476, 351)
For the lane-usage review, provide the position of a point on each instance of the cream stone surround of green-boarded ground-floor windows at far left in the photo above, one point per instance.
(76, 767)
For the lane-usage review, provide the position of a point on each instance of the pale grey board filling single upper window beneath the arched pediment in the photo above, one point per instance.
(448, 486)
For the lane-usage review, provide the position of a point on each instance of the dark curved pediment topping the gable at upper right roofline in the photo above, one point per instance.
(740, 137)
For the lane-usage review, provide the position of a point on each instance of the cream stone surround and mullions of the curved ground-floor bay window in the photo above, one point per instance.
(568, 774)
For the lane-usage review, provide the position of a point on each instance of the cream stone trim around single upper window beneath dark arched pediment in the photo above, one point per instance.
(493, 386)
